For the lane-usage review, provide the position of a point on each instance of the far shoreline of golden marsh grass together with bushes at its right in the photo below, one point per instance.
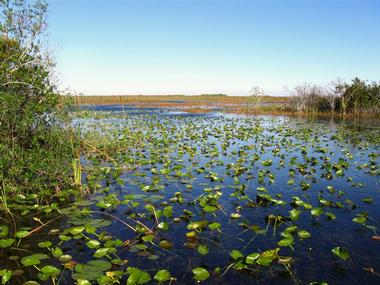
(355, 99)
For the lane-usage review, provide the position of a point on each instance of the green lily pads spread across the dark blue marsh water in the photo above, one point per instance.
(167, 199)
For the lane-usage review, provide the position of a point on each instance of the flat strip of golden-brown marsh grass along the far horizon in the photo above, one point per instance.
(246, 105)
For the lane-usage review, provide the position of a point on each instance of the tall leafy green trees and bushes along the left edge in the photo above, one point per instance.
(34, 149)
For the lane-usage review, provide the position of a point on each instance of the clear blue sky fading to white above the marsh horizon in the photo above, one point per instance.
(106, 47)
